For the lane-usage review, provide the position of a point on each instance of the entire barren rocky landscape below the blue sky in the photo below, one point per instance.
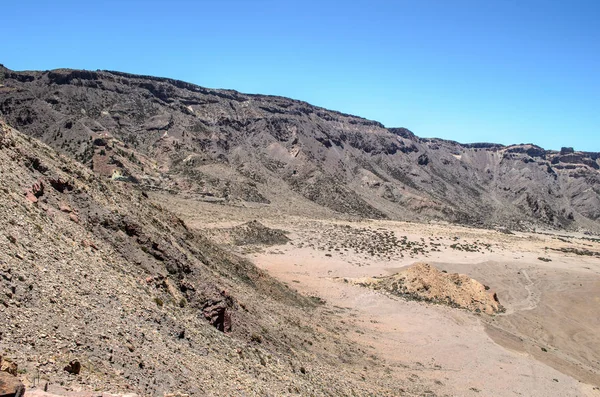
(161, 238)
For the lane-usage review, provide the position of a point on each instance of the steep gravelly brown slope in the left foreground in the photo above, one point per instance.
(100, 289)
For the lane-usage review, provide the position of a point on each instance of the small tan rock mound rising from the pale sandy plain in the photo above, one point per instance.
(424, 282)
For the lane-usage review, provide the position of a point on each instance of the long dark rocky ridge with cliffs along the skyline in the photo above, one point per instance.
(226, 146)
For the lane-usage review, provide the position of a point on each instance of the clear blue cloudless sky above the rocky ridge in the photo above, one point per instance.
(507, 71)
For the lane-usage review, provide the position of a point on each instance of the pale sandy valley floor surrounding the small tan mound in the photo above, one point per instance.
(546, 344)
